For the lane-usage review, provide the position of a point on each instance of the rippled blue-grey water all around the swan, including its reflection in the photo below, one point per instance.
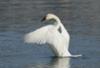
(18, 17)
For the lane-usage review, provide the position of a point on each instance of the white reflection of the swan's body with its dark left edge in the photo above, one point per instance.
(60, 63)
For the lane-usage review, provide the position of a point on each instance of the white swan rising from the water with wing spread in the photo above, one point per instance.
(54, 34)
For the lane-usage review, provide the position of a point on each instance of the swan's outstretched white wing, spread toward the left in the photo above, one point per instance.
(39, 36)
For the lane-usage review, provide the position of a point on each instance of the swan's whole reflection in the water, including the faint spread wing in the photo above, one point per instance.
(54, 63)
